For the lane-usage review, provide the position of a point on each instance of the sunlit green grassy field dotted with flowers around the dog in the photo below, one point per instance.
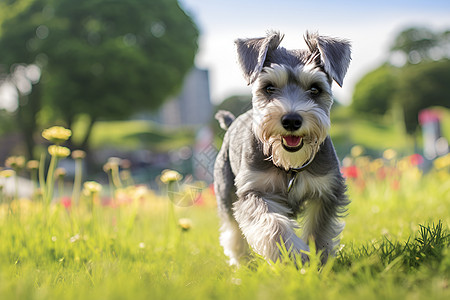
(395, 246)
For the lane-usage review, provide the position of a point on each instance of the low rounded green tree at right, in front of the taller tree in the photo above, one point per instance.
(412, 87)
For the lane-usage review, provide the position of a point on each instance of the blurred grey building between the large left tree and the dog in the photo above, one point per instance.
(192, 107)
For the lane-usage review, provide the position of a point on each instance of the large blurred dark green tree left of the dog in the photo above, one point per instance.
(103, 58)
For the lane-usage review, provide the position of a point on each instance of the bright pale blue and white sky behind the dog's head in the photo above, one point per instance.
(370, 25)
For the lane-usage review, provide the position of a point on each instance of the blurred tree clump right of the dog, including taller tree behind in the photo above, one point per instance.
(412, 86)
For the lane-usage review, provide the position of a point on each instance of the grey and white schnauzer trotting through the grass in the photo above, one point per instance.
(277, 161)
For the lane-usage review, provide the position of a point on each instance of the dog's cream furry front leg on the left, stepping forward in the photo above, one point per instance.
(265, 224)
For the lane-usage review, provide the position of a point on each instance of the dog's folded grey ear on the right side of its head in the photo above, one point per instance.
(332, 53)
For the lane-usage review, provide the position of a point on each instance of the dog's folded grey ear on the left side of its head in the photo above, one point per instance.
(253, 52)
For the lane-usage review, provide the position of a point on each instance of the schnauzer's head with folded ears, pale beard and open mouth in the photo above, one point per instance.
(292, 93)
